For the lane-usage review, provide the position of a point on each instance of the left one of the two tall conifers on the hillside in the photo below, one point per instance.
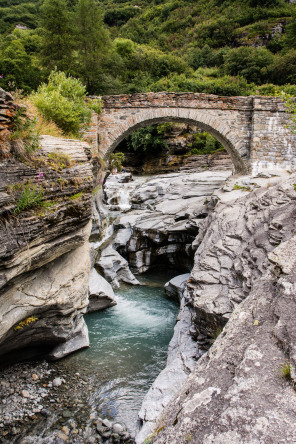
(58, 37)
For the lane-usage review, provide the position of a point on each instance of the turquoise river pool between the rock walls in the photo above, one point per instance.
(128, 349)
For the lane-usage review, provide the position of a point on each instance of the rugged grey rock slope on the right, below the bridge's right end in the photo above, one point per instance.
(243, 388)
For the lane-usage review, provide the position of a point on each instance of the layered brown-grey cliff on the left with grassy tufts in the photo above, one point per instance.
(45, 207)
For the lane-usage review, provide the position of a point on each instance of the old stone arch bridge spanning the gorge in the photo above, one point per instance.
(252, 129)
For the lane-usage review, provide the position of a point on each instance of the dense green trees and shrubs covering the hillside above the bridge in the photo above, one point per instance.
(117, 46)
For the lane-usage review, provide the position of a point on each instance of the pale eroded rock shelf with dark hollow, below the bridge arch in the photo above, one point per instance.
(166, 213)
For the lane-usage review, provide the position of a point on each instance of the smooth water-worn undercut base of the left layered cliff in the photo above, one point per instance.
(50, 294)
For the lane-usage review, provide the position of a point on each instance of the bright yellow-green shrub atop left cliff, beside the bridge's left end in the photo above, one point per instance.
(62, 100)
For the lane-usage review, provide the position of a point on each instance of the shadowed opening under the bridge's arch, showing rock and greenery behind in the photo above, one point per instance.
(172, 147)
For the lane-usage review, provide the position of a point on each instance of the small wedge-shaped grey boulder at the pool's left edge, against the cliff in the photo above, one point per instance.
(101, 294)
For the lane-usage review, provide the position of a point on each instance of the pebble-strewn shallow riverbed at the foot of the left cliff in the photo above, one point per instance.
(44, 402)
